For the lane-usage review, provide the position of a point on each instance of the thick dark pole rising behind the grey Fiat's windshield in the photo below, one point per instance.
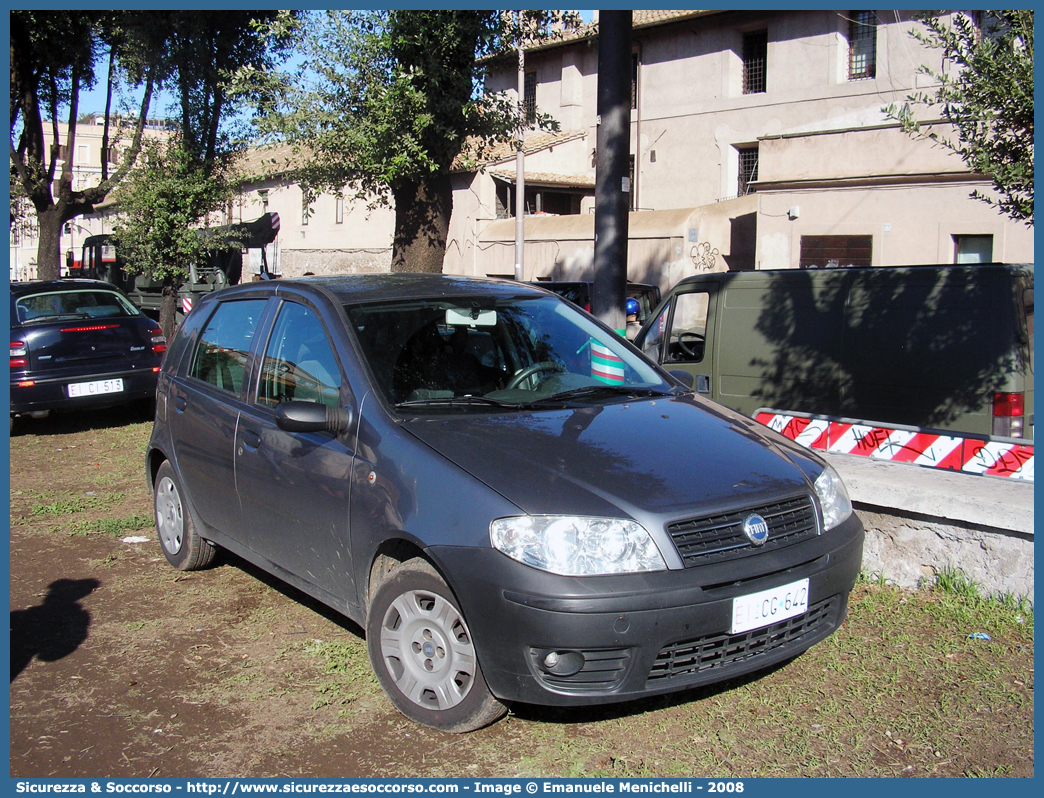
(613, 189)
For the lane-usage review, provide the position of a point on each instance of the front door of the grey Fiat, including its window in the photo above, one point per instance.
(295, 486)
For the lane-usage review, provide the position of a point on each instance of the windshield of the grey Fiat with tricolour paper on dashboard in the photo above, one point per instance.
(515, 353)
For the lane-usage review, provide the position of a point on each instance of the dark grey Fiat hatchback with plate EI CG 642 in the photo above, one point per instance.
(514, 503)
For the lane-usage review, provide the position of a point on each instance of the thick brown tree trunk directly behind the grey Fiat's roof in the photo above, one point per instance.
(422, 222)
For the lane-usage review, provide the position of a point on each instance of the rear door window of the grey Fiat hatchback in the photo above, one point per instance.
(225, 344)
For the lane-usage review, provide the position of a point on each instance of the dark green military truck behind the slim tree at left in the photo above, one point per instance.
(223, 268)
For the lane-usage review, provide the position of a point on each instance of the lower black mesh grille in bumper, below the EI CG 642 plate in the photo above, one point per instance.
(690, 660)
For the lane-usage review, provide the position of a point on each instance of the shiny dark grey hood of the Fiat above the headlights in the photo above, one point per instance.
(653, 460)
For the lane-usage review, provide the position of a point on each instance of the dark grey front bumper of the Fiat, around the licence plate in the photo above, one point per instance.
(642, 635)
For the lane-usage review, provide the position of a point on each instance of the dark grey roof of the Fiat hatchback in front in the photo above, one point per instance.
(383, 288)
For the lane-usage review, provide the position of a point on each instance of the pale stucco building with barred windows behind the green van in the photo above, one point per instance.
(768, 127)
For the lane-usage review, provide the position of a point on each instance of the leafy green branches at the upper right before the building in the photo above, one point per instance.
(987, 93)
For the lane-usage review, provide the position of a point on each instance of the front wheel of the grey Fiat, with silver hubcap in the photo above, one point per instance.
(423, 653)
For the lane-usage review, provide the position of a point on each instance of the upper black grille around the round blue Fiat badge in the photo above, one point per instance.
(718, 538)
